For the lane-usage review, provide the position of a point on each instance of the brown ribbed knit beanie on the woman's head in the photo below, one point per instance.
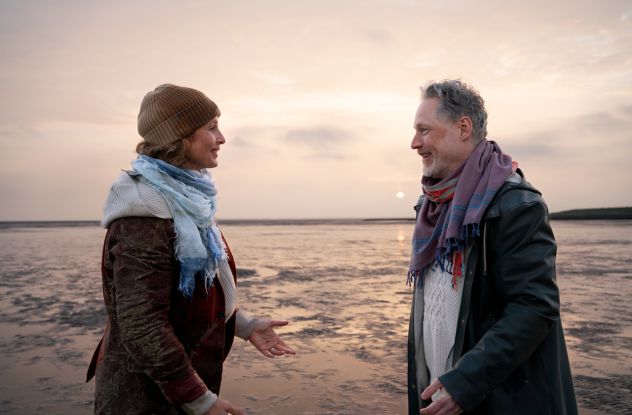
(171, 112)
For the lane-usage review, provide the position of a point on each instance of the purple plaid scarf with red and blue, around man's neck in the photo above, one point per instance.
(453, 208)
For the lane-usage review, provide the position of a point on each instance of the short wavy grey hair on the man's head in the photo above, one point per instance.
(458, 99)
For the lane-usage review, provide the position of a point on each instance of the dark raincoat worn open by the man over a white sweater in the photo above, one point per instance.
(509, 353)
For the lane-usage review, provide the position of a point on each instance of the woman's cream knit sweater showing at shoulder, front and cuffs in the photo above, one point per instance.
(130, 197)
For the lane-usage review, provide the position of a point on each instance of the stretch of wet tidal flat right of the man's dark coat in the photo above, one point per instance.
(594, 268)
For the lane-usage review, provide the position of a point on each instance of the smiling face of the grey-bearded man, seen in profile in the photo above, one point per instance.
(438, 141)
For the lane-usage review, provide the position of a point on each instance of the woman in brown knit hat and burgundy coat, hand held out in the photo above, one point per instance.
(168, 274)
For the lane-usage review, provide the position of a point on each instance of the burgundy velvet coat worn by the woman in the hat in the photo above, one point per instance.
(160, 349)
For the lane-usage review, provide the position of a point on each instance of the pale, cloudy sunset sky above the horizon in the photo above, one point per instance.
(317, 97)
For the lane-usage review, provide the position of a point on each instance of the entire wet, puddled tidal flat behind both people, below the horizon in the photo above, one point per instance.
(342, 287)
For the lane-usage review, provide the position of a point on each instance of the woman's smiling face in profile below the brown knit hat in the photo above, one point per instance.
(202, 147)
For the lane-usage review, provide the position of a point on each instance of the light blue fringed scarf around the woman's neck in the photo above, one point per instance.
(192, 202)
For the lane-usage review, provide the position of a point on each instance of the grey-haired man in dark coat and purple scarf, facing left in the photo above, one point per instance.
(485, 333)
